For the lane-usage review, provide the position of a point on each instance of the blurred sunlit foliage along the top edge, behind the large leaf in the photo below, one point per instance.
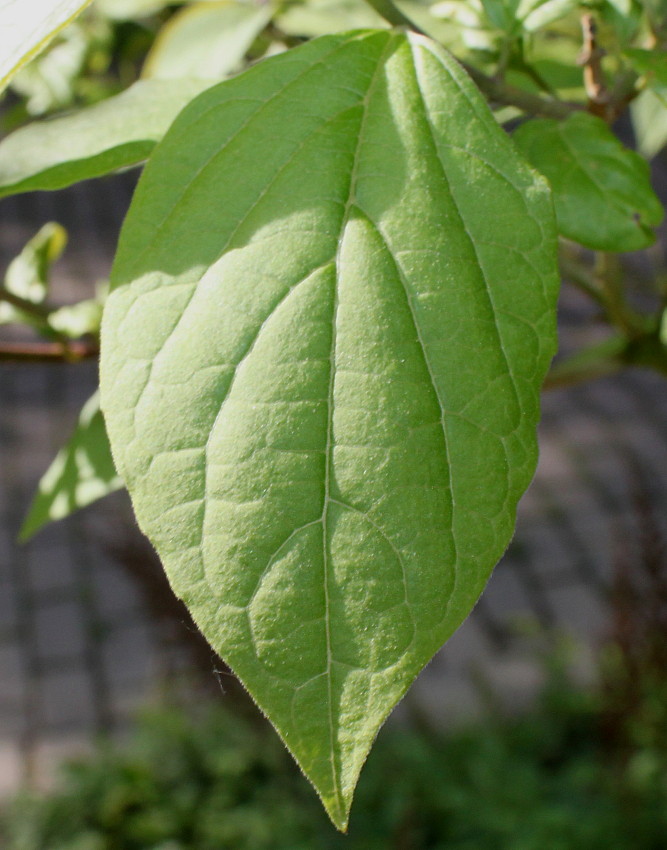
(533, 44)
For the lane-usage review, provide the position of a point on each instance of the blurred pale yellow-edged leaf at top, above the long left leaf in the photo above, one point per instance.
(207, 40)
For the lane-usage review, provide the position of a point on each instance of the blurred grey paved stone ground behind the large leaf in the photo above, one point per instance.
(89, 631)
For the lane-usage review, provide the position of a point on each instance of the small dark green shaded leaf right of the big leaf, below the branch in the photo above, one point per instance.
(602, 191)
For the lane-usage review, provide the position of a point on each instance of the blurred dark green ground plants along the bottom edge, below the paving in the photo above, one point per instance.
(220, 782)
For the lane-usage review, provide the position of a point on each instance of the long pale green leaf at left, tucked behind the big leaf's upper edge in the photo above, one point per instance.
(116, 133)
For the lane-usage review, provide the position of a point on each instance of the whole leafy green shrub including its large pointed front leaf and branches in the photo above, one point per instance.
(332, 310)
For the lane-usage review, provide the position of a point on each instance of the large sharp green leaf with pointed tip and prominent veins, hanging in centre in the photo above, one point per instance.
(331, 313)
